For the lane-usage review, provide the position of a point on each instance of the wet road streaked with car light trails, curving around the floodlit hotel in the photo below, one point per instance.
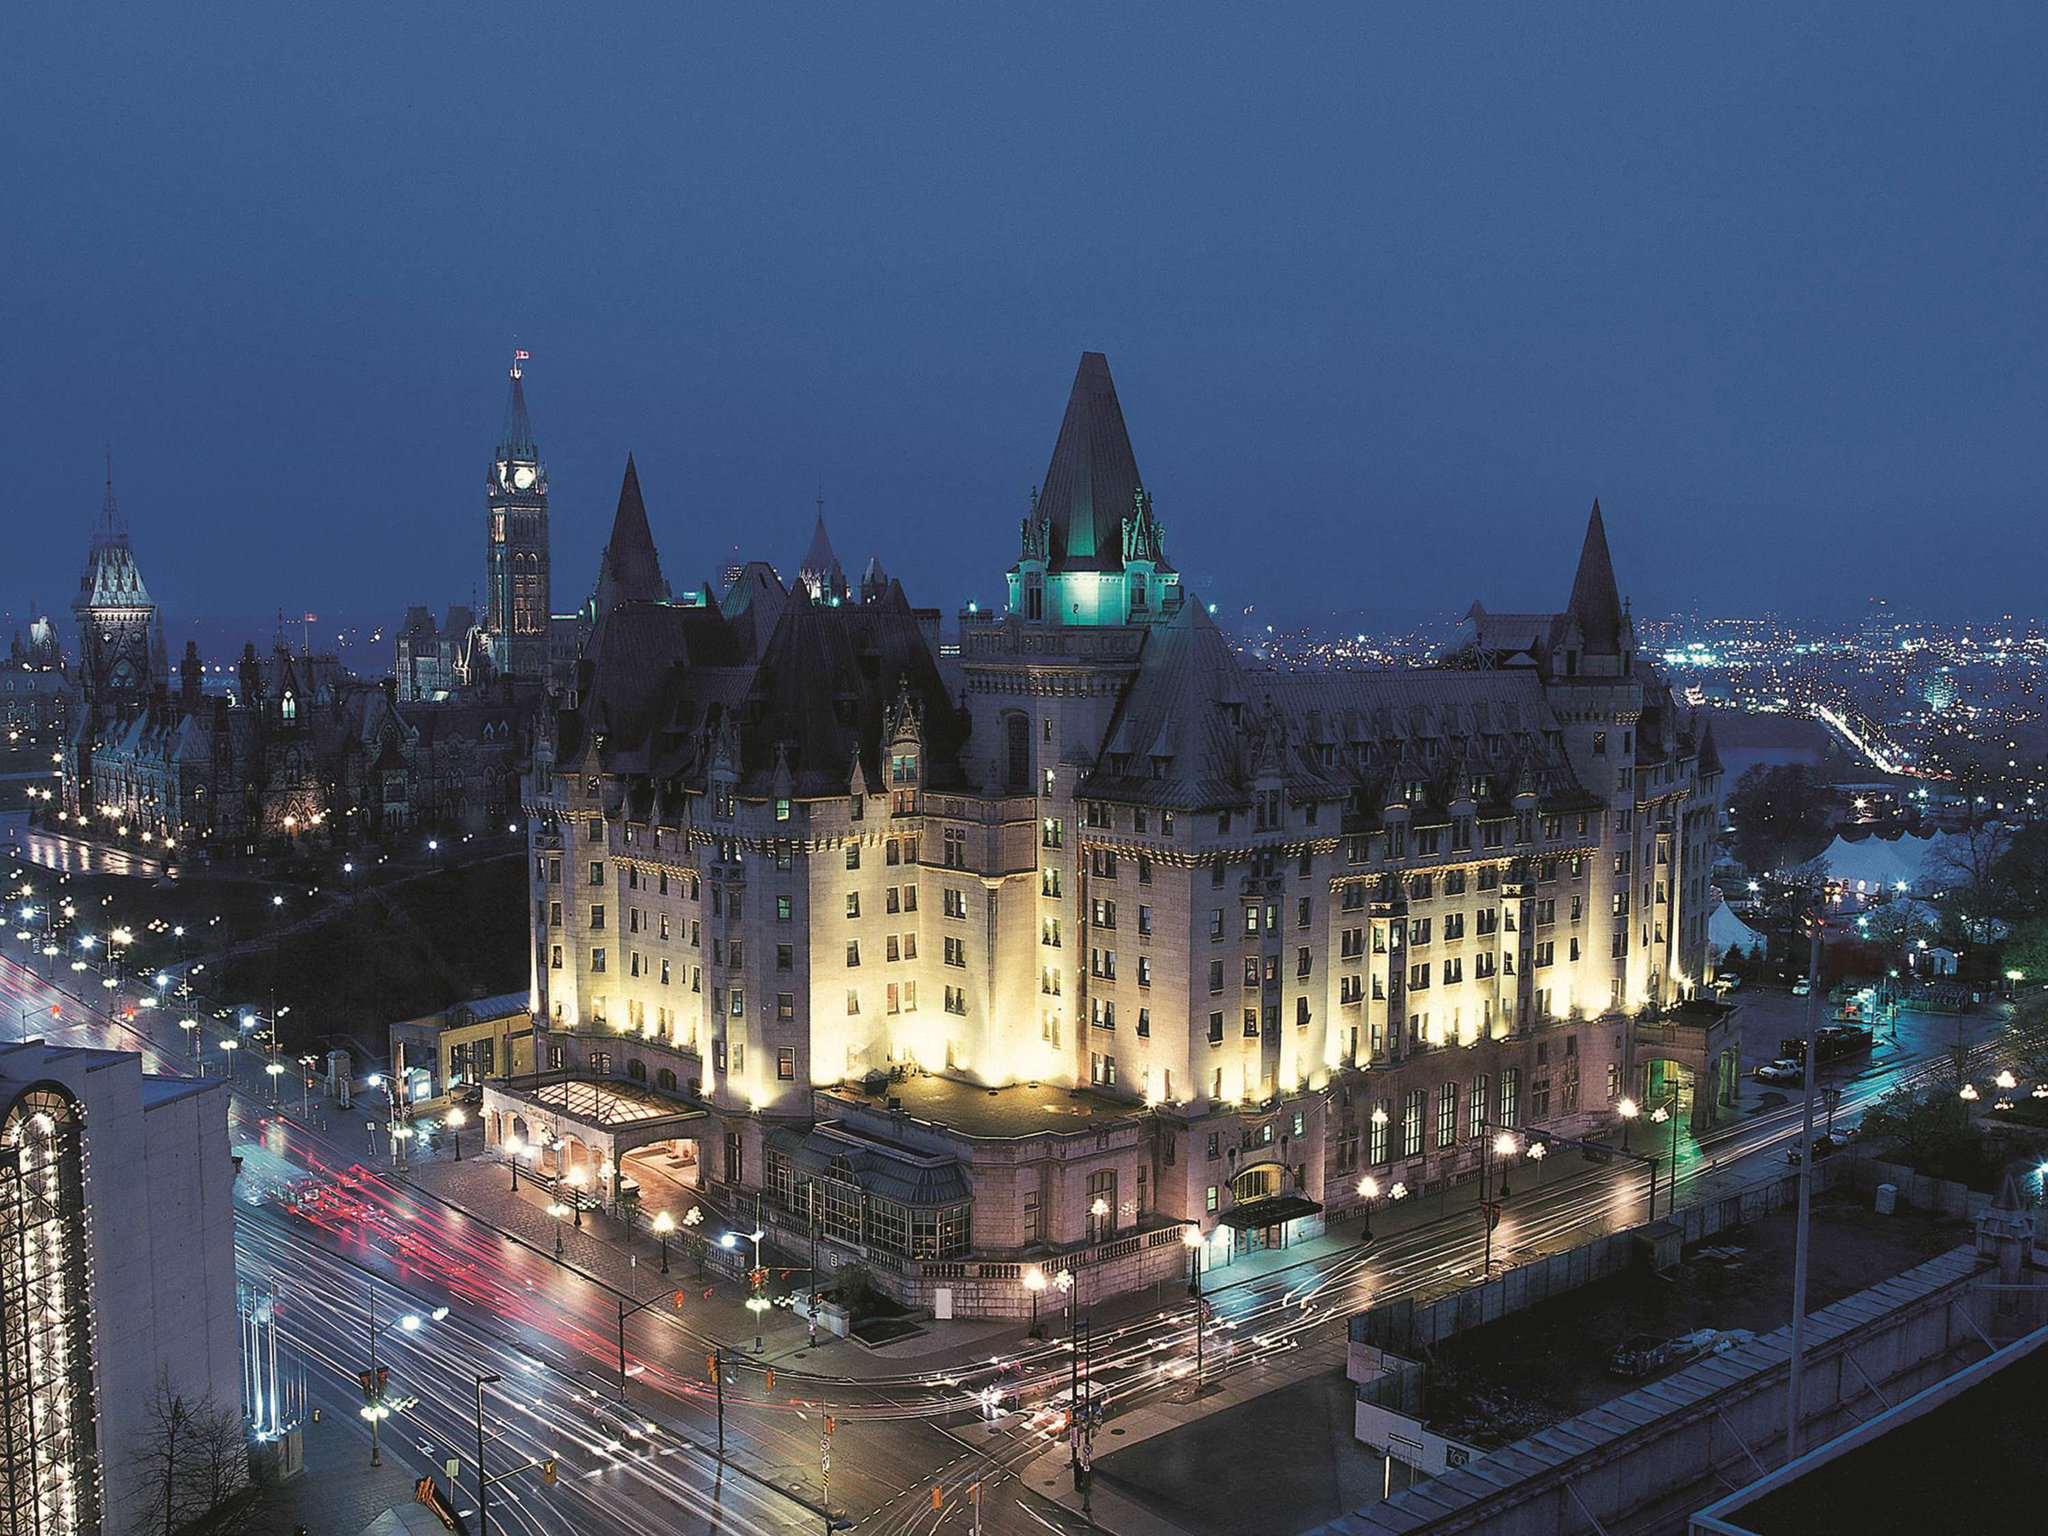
(339, 1238)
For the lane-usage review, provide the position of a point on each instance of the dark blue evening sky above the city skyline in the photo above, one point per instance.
(1390, 294)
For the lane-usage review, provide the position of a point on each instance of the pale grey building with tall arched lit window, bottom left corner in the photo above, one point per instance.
(118, 1252)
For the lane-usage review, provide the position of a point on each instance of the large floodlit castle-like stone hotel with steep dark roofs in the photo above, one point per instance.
(1025, 959)
